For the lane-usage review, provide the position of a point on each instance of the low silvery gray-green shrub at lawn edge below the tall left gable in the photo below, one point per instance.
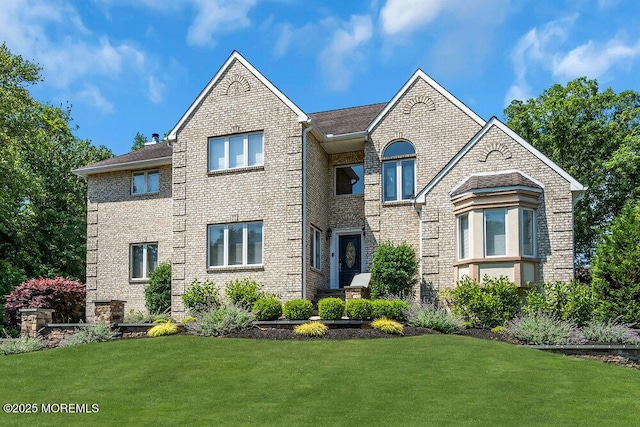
(222, 320)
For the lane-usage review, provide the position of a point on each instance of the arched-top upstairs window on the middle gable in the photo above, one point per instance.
(398, 171)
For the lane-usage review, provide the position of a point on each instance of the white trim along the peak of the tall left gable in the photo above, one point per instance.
(235, 56)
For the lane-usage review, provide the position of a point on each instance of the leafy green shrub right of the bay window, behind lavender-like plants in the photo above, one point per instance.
(572, 300)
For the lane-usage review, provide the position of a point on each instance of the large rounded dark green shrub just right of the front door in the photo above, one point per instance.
(393, 271)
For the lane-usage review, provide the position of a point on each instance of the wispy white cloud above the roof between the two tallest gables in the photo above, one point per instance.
(338, 58)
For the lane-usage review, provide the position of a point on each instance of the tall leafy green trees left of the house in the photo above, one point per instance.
(42, 204)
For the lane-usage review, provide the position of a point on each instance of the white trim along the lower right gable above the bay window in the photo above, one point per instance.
(575, 186)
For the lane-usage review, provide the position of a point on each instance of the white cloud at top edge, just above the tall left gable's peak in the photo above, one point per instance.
(217, 16)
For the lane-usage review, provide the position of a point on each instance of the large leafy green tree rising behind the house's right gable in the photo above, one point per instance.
(595, 136)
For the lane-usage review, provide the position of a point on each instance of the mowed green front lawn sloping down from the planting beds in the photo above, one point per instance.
(425, 380)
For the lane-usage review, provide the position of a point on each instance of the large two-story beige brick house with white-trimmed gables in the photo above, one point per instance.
(249, 185)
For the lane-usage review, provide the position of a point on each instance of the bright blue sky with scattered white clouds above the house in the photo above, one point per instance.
(128, 66)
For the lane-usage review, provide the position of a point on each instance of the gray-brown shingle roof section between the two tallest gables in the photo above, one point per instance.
(346, 120)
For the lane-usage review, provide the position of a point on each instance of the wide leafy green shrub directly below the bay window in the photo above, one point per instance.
(485, 305)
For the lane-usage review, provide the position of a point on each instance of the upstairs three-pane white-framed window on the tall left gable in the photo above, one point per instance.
(236, 151)
